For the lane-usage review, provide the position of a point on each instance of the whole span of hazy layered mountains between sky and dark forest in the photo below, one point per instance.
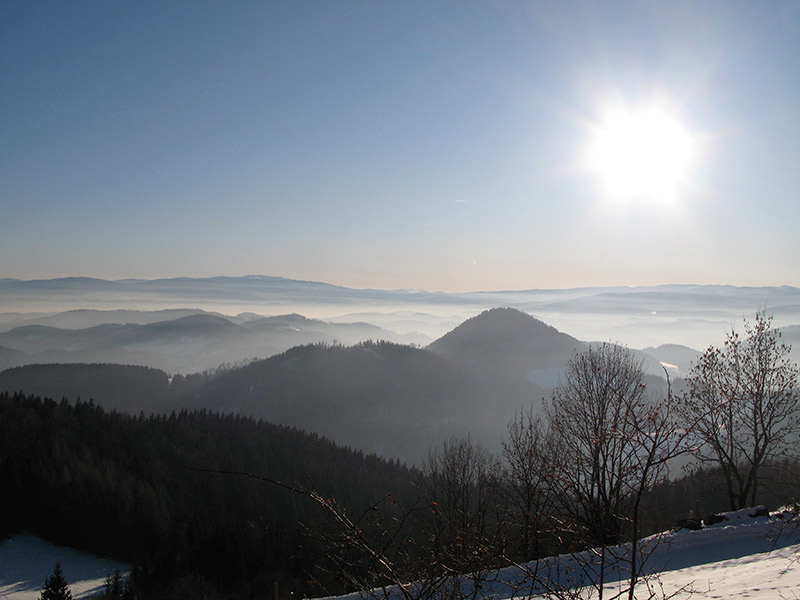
(389, 371)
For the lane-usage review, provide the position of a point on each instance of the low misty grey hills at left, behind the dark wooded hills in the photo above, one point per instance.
(192, 342)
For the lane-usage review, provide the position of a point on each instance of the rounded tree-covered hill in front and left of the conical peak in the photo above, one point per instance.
(381, 397)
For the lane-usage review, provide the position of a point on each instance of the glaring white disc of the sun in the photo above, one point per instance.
(641, 155)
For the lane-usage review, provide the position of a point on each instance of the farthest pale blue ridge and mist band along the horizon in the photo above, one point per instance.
(644, 316)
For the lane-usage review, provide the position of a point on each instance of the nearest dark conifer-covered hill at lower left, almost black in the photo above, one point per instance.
(125, 487)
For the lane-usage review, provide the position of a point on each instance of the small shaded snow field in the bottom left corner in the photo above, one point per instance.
(26, 561)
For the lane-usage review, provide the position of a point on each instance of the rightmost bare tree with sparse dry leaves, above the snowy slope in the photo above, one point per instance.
(742, 407)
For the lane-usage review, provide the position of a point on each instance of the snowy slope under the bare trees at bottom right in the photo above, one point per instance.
(741, 557)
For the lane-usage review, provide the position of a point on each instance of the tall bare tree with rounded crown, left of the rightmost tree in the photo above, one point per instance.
(610, 442)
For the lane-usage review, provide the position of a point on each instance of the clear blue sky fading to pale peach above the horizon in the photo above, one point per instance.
(423, 145)
